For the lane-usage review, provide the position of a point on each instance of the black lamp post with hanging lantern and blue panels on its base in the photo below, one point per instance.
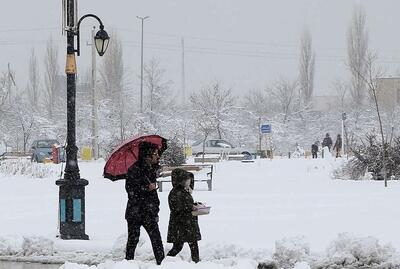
(72, 186)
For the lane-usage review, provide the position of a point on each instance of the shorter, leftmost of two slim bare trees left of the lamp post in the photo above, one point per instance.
(34, 81)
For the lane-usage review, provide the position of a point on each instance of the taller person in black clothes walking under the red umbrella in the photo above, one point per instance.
(143, 203)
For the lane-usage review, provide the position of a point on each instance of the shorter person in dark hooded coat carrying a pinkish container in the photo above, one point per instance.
(183, 226)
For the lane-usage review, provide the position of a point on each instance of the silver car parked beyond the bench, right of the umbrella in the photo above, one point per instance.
(217, 146)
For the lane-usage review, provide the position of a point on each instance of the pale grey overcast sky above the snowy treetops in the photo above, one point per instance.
(244, 44)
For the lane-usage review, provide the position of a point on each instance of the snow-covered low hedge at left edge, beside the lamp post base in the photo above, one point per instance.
(24, 167)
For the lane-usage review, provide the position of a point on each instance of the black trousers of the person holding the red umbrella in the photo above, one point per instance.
(151, 227)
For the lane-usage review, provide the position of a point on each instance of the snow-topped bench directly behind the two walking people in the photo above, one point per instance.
(166, 172)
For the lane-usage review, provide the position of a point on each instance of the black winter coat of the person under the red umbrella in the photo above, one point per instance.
(142, 203)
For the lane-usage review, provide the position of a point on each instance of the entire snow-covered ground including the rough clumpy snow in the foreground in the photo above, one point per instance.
(281, 210)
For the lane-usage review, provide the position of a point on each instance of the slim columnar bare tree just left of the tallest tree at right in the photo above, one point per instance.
(307, 68)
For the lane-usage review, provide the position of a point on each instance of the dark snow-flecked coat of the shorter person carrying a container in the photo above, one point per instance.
(183, 226)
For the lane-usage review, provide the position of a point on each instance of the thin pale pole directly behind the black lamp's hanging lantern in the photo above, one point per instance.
(95, 135)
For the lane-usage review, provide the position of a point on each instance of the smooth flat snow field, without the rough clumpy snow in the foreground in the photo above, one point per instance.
(254, 205)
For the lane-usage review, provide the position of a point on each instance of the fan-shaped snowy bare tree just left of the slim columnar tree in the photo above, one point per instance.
(284, 93)
